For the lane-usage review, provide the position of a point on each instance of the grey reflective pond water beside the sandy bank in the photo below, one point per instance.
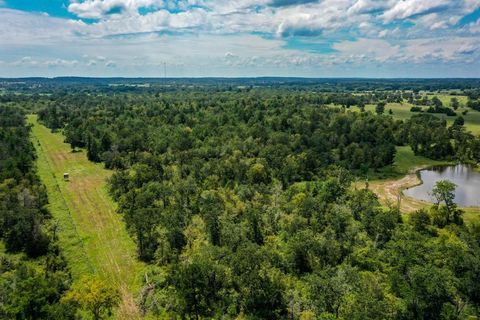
(465, 177)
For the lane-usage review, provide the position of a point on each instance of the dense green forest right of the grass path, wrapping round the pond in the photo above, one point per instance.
(242, 203)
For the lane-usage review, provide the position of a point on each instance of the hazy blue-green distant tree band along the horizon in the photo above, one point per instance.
(152, 85)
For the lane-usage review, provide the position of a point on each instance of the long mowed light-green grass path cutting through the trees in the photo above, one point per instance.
(93, 237)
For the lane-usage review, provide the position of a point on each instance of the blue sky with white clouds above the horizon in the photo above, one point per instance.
(312, 38)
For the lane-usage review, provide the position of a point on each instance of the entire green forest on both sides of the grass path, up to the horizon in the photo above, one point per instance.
(246, 200)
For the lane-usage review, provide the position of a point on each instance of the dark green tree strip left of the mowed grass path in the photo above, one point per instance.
(33, 273)
